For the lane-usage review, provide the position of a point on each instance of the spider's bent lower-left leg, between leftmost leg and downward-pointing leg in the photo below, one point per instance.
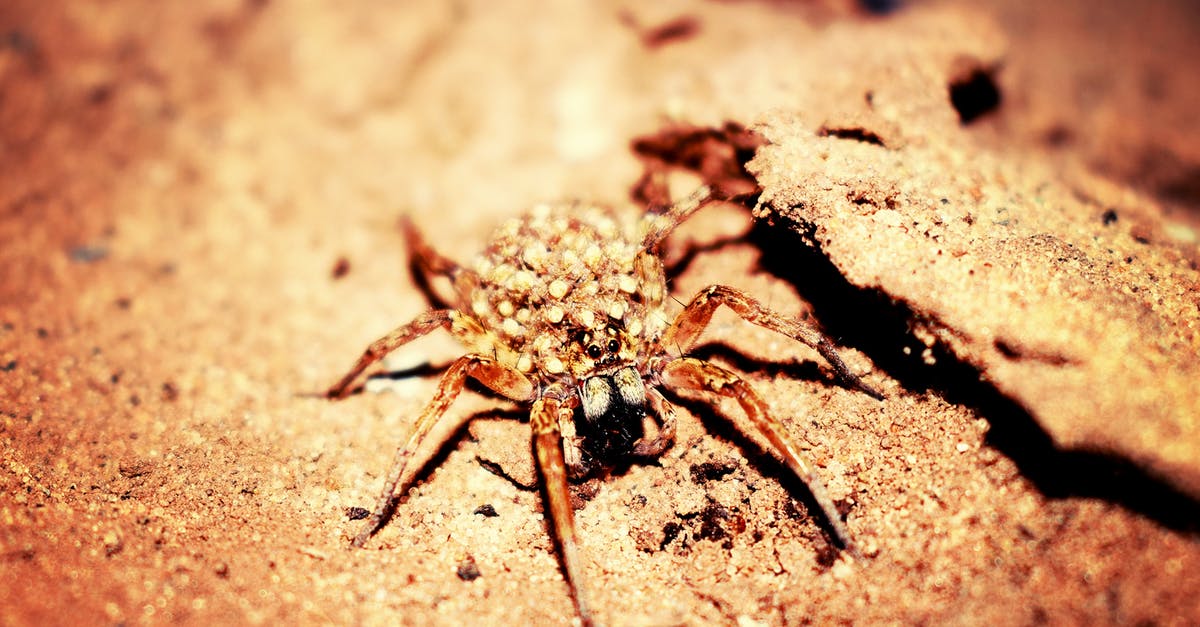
(500, 378)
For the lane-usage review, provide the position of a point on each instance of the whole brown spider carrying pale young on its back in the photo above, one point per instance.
(565, 312)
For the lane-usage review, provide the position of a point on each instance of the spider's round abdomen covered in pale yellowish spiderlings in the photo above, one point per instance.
(549, 278)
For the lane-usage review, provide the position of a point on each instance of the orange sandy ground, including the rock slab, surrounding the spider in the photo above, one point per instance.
(994, 211)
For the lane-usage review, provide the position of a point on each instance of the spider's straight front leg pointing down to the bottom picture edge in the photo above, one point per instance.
(548, 444)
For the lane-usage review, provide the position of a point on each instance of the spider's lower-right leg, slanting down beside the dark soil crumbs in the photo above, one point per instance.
(692, 374)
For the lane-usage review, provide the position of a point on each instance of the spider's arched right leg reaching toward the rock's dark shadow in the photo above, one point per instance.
(695, 318)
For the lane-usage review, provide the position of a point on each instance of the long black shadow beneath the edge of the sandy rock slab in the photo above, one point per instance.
(873, 323)
